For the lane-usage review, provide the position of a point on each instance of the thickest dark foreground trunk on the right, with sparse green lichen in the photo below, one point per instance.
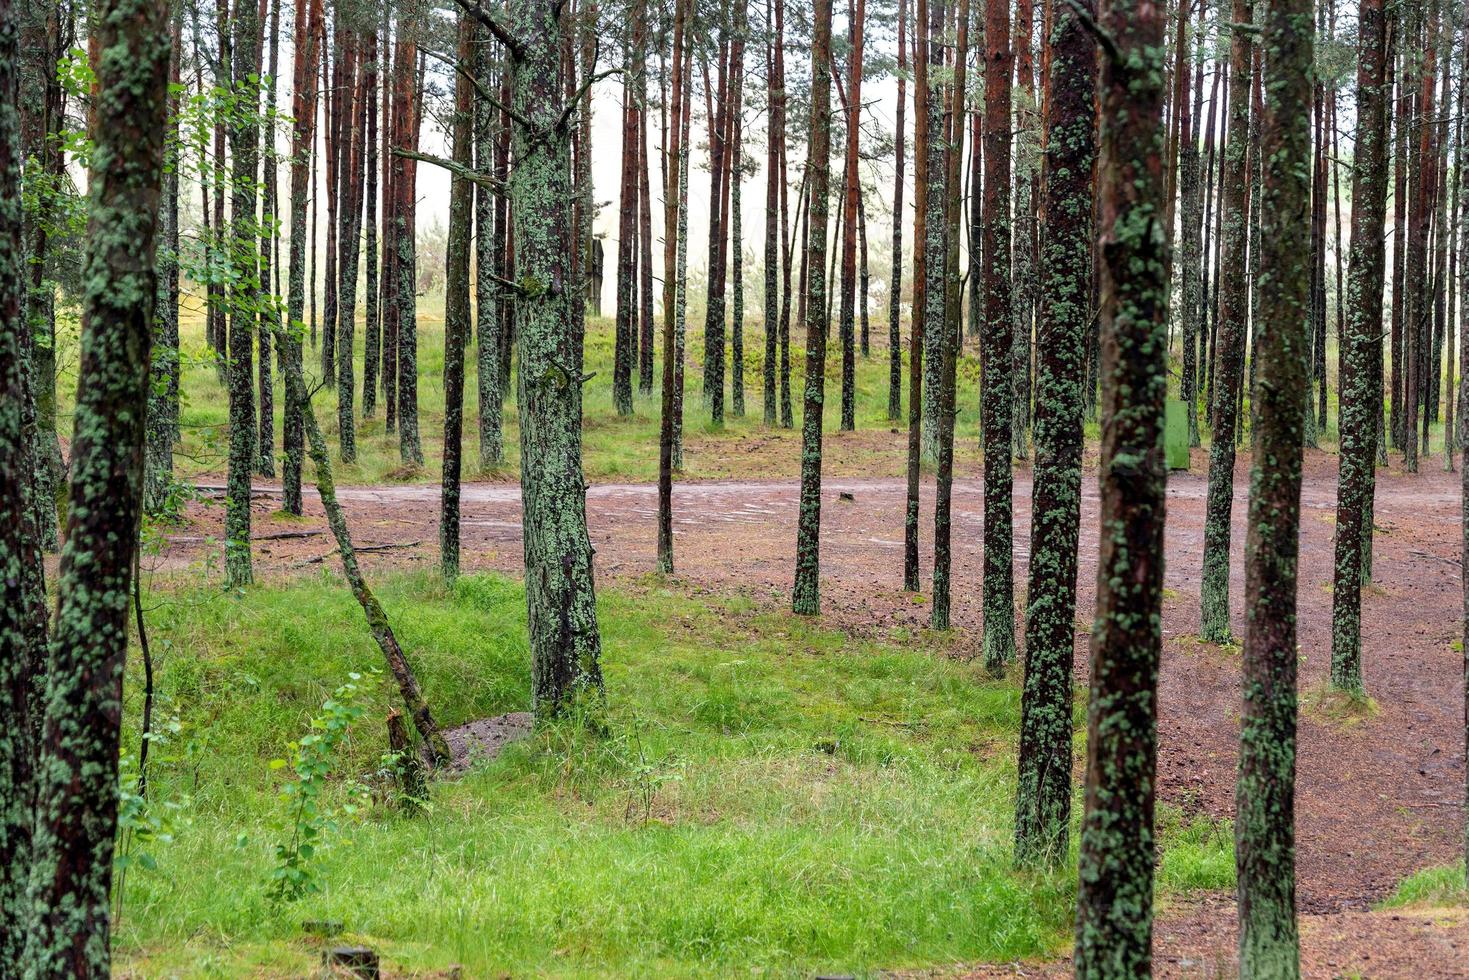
(1116, 903)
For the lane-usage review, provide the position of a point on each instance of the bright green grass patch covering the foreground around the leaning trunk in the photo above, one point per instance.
(770, 797)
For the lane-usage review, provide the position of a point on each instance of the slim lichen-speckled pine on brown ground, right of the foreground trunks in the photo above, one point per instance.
(1362, 347)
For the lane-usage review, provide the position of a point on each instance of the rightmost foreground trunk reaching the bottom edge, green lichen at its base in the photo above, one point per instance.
(1266, 793)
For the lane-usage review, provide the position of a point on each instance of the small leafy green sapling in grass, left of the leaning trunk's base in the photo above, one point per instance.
(311, 822)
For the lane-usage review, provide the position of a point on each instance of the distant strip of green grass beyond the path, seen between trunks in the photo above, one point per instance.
(616, 449)
